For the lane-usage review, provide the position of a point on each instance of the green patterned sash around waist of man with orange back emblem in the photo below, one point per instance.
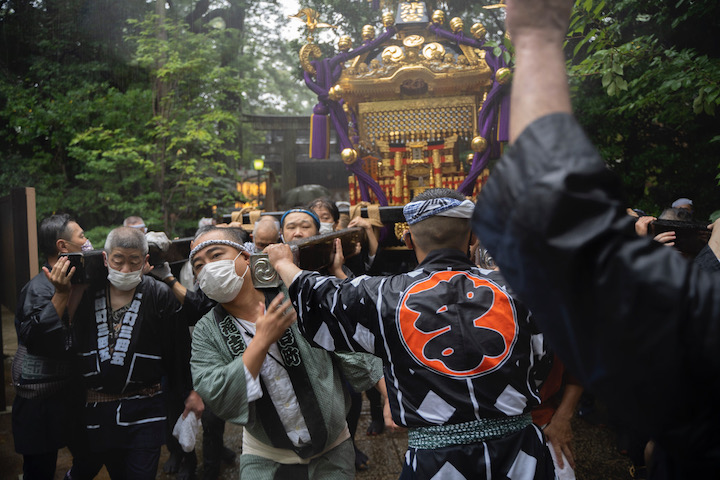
(439, 436)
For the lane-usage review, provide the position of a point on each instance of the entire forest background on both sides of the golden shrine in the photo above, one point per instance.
(110, 108)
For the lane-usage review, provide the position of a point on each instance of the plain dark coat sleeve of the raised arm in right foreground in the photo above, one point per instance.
(634, 321)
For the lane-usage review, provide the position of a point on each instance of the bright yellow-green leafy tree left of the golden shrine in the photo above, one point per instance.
(172, 158)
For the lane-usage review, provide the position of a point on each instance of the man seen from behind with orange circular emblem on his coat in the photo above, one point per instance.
(459, 350)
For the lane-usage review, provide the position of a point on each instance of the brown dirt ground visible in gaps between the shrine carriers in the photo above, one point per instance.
(596, 454)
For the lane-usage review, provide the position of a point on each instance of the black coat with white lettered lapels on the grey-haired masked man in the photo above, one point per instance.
(153, 346)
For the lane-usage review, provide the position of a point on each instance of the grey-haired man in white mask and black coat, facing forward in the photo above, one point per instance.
(132, 347)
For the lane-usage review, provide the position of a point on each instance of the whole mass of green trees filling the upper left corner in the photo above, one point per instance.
(130, 118)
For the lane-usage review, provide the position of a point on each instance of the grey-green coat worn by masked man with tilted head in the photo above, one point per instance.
(219, 378)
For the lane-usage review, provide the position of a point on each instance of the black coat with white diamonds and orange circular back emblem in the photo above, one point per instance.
(461, 347)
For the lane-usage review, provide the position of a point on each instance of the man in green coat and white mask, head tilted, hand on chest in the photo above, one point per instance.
(253, 367)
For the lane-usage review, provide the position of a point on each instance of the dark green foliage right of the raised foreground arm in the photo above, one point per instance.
(646, 88)
